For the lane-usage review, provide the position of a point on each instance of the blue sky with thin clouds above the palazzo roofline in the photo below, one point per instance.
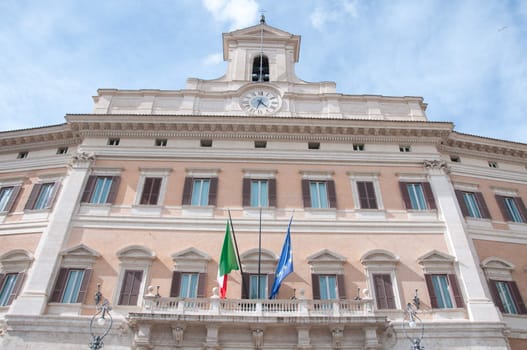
(467, 59)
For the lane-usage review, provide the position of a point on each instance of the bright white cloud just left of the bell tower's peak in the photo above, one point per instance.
(240, 13)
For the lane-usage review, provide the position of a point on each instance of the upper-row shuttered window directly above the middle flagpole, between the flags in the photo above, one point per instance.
(259, 193)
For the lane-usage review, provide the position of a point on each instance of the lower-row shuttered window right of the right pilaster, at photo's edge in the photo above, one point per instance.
(506, 296)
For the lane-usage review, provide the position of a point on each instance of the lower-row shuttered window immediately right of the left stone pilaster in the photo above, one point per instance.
(71, 285)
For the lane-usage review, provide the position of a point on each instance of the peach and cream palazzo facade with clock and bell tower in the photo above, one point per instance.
(389, 209)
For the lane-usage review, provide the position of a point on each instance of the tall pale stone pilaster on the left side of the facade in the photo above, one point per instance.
(41, 276)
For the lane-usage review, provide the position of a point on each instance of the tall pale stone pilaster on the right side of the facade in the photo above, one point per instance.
(480, 307)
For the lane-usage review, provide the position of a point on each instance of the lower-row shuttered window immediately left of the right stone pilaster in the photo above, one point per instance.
(444, 291)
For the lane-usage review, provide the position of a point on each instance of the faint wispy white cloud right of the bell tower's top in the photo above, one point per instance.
(333, 11)
